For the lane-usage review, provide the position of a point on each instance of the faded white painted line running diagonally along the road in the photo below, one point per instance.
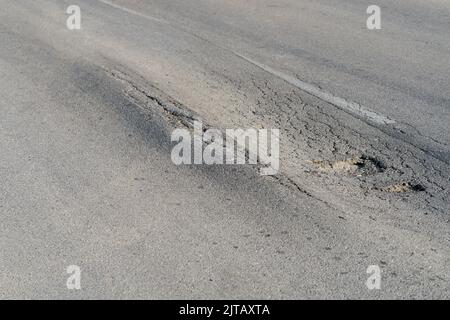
(339, 102)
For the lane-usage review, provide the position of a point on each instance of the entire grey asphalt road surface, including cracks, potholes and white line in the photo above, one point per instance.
(85, 149)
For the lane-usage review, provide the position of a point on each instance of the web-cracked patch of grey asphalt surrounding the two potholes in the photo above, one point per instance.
(350, 162)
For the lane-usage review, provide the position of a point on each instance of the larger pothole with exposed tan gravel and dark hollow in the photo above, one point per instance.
(356, 166)
